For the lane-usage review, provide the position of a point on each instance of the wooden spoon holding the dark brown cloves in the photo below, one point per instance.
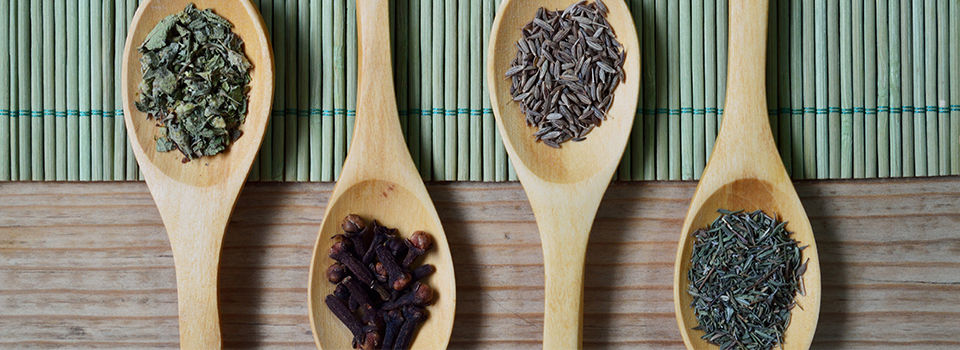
(379, 181)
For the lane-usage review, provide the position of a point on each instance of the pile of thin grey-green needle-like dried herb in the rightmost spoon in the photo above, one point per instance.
(744, 274)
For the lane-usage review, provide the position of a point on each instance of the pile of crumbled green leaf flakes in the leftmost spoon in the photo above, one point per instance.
(195, 82)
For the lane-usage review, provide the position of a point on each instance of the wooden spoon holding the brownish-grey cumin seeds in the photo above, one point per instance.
(564, 185)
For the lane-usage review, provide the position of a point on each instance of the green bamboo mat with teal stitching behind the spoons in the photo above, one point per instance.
(856, 88)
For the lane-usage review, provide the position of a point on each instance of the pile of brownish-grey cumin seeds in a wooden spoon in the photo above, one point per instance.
(567, 66)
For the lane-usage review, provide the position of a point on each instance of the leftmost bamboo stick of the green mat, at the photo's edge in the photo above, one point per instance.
(5, 82)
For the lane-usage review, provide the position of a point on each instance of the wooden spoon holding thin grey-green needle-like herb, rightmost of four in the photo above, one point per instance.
(745, 172)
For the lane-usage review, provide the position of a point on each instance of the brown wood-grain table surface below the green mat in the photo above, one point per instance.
(87, 265)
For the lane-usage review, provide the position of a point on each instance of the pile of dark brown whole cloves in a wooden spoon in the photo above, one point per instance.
(378, 294)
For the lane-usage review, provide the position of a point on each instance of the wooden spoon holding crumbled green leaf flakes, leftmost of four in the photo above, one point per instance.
(195, 199)
